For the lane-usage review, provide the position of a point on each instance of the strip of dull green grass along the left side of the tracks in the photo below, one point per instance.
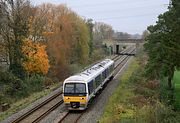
(26, 101)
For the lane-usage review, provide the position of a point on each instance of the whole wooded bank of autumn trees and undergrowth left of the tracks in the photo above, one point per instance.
(42, 45)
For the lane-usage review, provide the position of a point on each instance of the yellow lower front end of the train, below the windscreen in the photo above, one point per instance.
(75, 102)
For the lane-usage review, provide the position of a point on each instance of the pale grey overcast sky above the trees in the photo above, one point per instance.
(132, 16)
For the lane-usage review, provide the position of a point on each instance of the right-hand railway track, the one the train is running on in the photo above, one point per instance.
(73, 117)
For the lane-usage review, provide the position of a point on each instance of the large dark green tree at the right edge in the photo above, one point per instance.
(163, 46)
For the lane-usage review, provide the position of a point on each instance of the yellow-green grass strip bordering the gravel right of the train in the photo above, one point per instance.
(116, 108)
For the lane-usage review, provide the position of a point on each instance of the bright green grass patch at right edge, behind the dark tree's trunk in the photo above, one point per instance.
(176, 80)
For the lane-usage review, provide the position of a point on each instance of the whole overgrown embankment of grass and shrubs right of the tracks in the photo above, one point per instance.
(140, 100)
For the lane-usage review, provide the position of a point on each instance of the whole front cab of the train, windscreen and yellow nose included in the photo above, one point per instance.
(75, 94)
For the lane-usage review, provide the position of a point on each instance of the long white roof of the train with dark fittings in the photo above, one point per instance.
(91, 72)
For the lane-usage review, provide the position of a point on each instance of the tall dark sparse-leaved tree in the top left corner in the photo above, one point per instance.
(14, 29)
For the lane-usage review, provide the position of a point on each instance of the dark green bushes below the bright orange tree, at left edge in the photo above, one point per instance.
(13, 87)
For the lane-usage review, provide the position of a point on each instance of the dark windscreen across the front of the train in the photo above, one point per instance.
(75, 89)
